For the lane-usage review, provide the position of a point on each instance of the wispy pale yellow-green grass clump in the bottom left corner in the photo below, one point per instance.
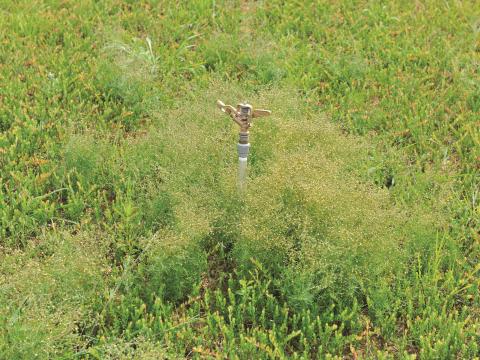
(46, 291)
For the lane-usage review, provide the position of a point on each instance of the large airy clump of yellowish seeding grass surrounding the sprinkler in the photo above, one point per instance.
(307, 213)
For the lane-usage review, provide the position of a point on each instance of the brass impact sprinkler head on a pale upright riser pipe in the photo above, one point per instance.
(242, 115)
